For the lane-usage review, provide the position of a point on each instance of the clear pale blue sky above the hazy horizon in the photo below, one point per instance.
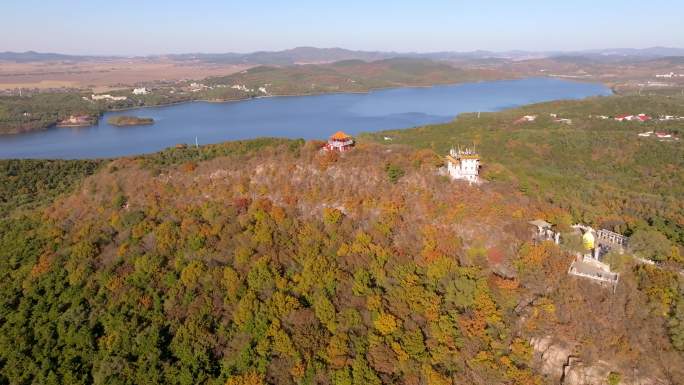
(136, 27)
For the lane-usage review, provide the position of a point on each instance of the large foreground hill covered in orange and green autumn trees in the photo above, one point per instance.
(270, 262)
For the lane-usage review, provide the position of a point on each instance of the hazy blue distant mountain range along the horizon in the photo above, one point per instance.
(302, 55)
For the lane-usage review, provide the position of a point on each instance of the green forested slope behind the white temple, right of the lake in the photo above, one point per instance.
(599, 170)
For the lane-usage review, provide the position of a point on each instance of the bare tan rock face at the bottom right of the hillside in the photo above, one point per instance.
(557, 362)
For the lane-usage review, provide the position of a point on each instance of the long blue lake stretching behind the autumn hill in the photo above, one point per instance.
(309, 117)
